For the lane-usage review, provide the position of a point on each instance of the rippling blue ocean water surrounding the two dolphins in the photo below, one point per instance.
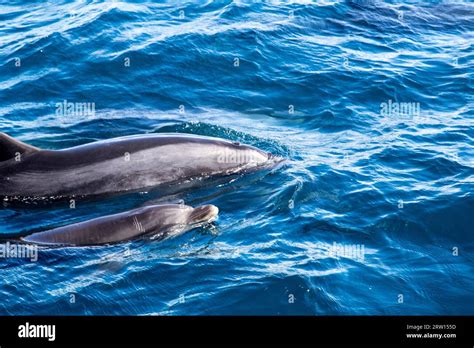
(370, 102)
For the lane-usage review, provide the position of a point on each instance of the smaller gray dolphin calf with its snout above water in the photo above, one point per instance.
(157, 221)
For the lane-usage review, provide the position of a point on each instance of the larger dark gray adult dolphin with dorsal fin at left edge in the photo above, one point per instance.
(119, 165)
